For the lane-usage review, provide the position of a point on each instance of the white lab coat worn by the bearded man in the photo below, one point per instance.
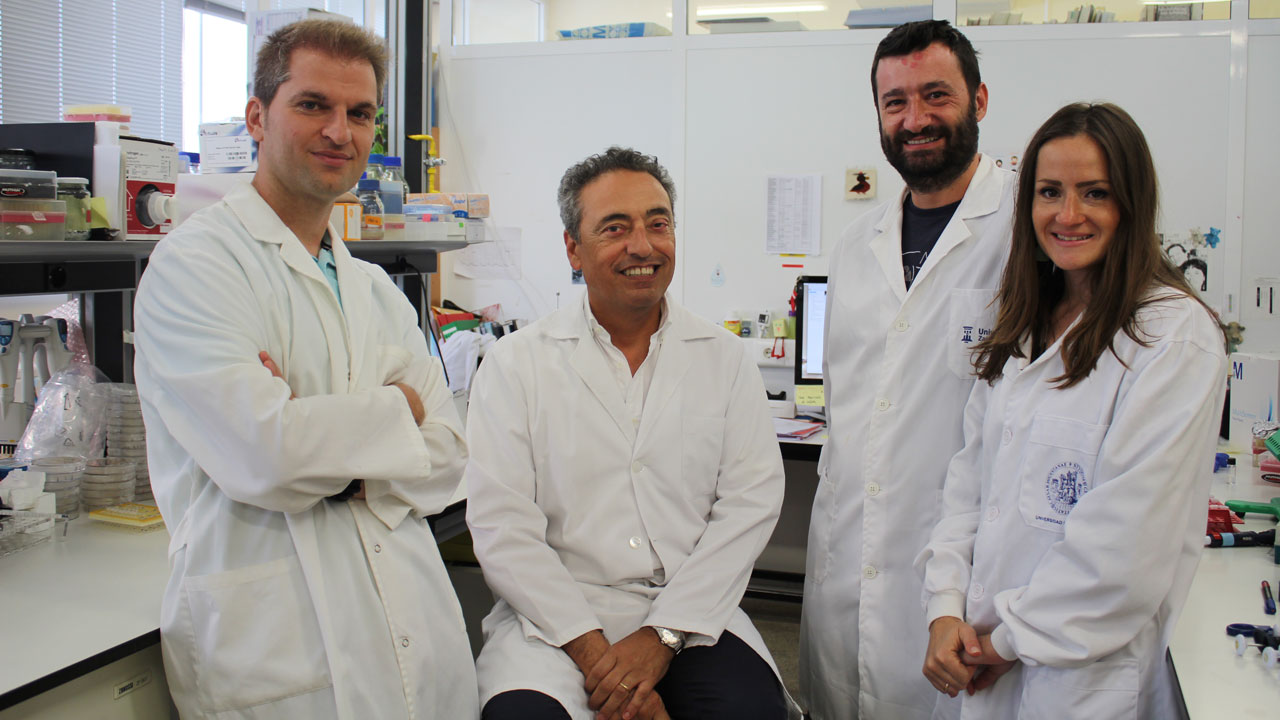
(898, 376)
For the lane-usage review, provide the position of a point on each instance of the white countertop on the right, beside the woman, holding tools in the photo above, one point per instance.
(1227, 590)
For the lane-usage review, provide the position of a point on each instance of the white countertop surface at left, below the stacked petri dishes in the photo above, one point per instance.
(72, 598)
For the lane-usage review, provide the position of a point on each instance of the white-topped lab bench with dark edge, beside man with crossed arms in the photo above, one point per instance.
(83, 603)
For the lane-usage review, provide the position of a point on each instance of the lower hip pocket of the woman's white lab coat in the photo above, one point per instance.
(1100, 691)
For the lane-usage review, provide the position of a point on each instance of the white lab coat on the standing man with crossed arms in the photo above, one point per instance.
(282, 604)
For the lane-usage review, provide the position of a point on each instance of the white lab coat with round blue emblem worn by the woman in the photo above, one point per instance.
(1073, 521)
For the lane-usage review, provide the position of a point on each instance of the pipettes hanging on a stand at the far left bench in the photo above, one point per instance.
(31, 350)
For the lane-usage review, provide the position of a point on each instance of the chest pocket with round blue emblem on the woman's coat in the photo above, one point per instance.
(1058, 470)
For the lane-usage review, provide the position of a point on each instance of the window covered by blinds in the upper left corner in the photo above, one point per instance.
(56, 53)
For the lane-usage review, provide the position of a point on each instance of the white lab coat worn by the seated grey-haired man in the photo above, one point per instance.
(570, 499)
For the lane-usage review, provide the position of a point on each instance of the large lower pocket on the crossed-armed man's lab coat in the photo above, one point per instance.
(257, 636)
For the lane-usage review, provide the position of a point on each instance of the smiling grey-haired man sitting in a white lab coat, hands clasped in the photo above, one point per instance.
(624, 479)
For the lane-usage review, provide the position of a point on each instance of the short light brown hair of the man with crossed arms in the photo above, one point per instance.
(339, 39)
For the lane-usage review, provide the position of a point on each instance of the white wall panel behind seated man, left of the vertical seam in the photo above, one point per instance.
(511, 126)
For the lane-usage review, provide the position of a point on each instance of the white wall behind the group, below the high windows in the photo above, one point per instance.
(723, 113)
